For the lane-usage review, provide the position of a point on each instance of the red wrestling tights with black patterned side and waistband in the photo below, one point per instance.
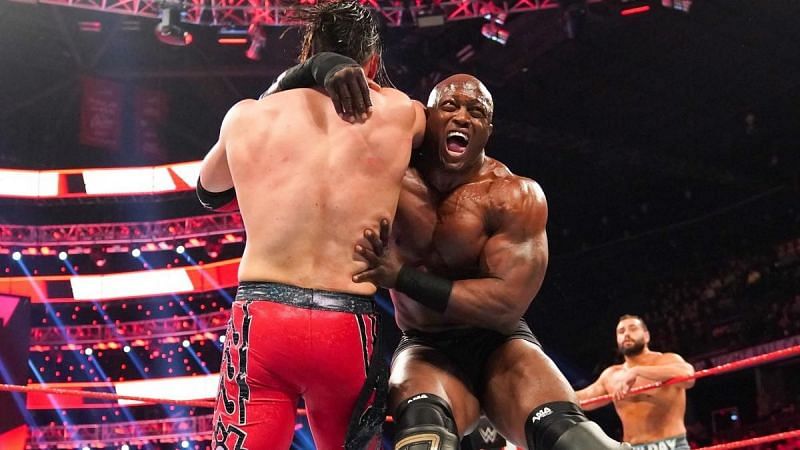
(274, 354)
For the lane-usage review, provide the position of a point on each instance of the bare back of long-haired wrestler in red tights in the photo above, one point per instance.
(309, 183)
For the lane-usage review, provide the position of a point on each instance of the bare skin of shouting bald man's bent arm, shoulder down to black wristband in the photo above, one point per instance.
(513, 263)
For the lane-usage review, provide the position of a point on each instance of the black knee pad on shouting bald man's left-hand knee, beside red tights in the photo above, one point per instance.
(425, 422)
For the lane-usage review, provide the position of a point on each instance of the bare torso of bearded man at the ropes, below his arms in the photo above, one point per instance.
(652, 415)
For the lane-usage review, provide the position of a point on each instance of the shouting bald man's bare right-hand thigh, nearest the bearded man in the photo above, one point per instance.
(520, 377)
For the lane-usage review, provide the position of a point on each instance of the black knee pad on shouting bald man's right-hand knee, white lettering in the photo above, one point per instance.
(564, 426)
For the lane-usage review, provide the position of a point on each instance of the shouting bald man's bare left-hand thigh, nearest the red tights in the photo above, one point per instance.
(421, 369)
